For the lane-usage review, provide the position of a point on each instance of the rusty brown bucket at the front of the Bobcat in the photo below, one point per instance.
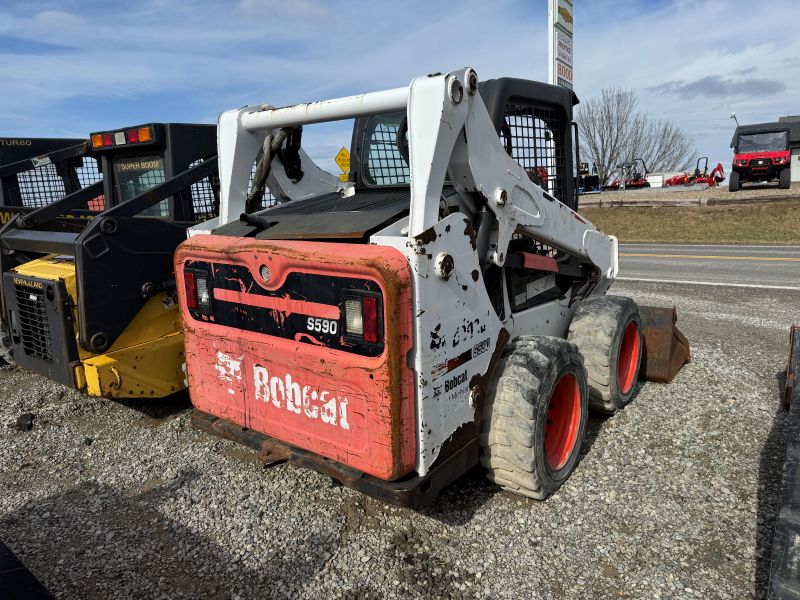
(666, 349)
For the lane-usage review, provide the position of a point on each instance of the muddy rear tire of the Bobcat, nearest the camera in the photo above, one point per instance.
(516, 411)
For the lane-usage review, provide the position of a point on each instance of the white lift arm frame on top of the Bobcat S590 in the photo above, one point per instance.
(449, 129)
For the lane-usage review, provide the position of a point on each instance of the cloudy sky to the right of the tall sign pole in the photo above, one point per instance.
(695, 62)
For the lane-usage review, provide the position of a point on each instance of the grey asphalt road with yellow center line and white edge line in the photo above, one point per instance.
(769, 267)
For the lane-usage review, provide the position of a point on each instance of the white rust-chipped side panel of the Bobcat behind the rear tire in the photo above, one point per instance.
(456, 329)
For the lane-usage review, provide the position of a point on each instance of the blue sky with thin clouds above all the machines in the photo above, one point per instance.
(75, 66)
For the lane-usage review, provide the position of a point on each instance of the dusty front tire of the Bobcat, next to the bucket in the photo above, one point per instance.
(597, 328)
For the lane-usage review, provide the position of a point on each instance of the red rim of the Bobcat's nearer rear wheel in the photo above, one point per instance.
(563, 418)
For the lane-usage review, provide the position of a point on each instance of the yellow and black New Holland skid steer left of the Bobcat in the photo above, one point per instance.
(90, 302)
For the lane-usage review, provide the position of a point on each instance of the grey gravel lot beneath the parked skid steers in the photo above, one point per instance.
(674, 498)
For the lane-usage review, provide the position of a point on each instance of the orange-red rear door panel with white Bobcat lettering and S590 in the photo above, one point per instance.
(269, 348)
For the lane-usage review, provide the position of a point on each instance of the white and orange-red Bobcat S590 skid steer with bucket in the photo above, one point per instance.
(440, 311)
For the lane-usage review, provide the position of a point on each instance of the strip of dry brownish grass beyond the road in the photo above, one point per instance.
(772, 223)
